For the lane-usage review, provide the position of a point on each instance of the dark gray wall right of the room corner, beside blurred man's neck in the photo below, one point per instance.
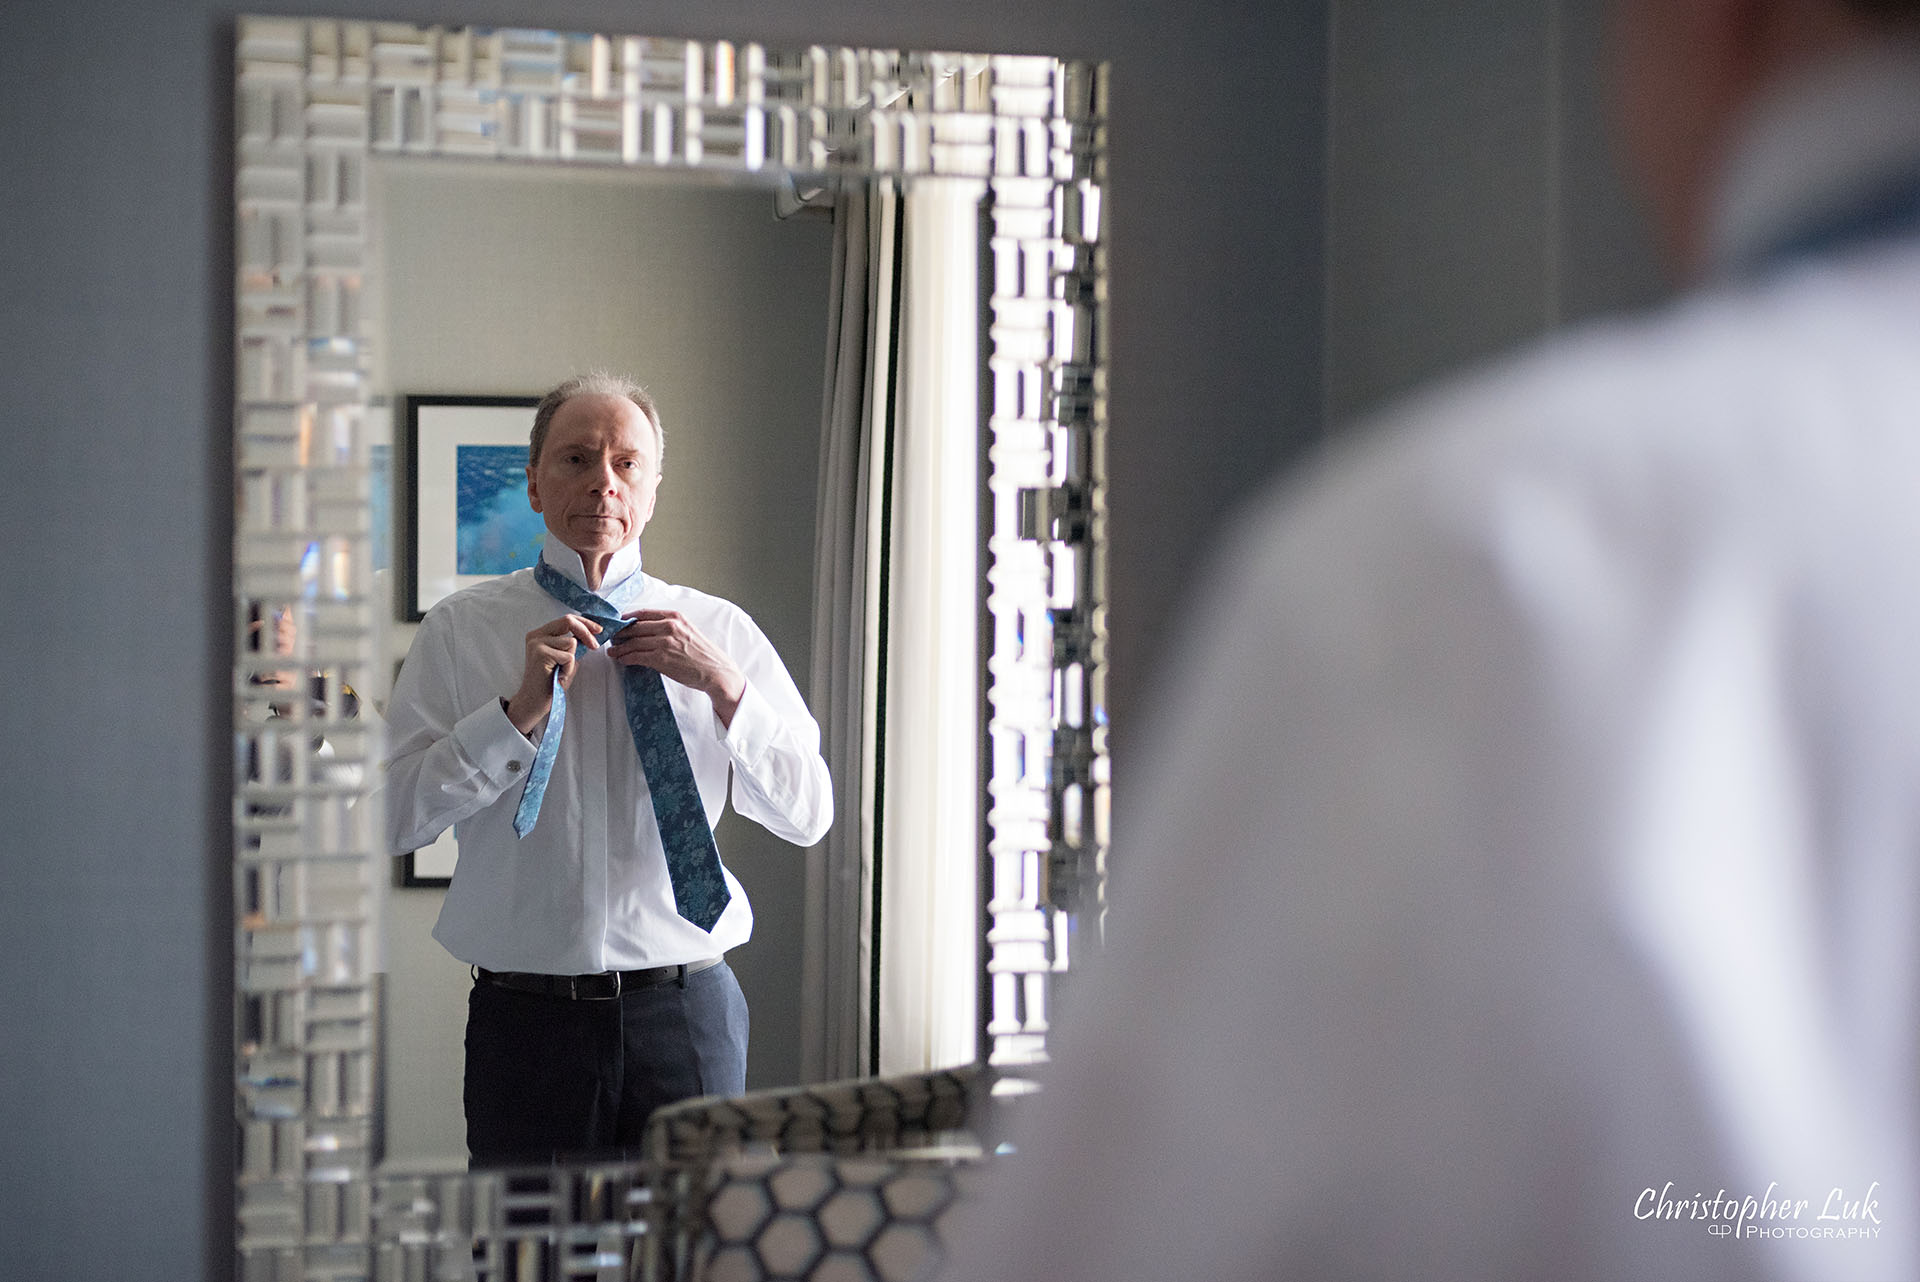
(1470, 195)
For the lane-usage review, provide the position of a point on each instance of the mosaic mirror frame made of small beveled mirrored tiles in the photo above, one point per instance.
(316, 103)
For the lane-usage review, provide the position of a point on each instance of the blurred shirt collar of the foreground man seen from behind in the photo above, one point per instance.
(1817, 151)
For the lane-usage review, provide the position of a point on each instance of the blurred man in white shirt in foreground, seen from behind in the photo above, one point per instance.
(1525, 876)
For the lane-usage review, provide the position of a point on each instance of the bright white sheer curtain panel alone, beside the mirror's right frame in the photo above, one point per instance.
(932, 755)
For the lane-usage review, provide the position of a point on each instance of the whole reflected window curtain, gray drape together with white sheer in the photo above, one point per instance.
(896, 680)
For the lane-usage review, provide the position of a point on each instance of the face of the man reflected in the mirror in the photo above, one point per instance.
(598, 475)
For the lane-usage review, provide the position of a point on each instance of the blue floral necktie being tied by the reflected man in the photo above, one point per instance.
(692, 859)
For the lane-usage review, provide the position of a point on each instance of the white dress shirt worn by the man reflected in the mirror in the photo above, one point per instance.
(587, 890)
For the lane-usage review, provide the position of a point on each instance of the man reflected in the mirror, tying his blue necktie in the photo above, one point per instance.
(598, 993)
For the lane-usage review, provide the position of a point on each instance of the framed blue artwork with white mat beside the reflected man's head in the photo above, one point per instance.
(468, 515)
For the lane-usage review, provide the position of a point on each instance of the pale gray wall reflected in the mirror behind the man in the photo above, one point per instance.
(512, 277)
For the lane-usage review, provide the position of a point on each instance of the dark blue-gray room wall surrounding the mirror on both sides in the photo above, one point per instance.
(1314, 204)
